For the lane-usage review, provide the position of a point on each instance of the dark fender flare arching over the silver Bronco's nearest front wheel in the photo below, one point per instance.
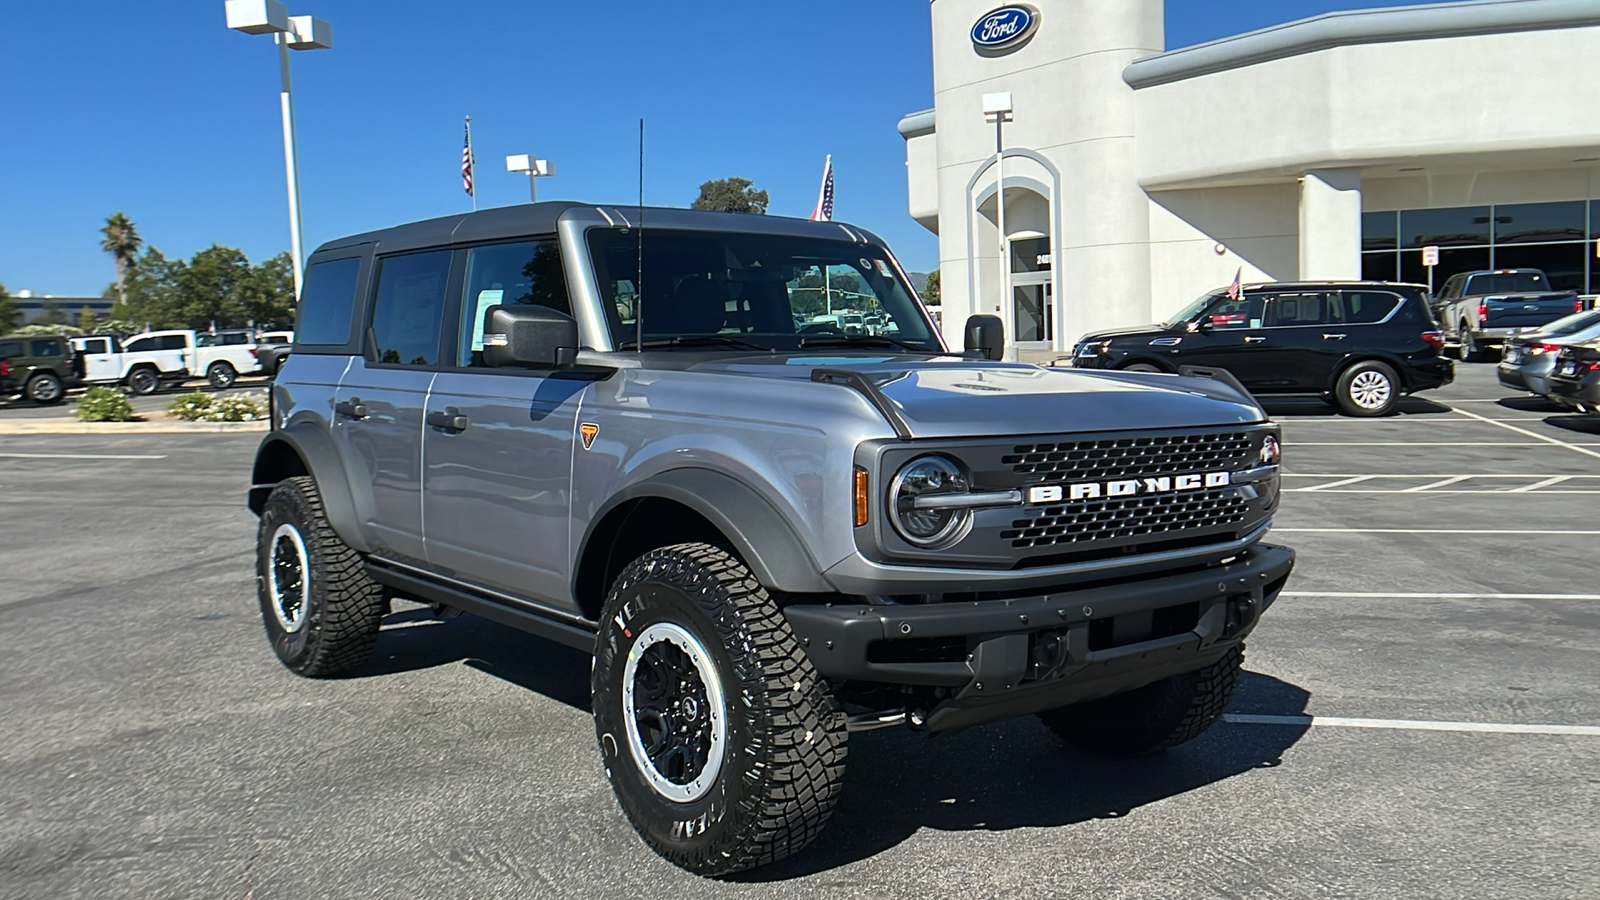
(759, 532)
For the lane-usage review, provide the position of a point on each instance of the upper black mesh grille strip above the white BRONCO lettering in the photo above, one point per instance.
(1132, 457)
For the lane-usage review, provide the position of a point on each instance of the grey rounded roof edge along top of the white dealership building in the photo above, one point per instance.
(1356, 28)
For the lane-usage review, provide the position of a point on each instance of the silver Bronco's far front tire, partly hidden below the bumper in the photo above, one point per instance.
(1153, 718)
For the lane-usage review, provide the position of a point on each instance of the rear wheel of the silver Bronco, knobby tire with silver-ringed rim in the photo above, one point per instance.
(321, 609)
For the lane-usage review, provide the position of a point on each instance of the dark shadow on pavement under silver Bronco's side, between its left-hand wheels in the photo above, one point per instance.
(414, 640)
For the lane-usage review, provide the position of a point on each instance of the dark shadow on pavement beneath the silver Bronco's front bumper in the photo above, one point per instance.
(1020, 776)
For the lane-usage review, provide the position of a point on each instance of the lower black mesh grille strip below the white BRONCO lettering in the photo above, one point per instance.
(1124, 518)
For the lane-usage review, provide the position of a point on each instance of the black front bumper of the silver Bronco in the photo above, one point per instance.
(1006, 659)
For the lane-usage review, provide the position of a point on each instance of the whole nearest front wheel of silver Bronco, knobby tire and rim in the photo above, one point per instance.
(722, 744)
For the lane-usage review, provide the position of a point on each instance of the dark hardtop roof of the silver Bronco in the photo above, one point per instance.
(503, 223)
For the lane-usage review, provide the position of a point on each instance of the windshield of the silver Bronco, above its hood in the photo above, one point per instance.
(756, 292)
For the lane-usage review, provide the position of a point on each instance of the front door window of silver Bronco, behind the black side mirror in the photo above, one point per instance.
(527, 275)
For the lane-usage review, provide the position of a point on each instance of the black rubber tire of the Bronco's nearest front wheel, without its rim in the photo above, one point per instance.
(785, 741)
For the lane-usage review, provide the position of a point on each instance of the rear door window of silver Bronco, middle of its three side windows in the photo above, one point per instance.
(409, 308)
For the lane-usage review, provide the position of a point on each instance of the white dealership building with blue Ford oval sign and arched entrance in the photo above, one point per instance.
(1129, 180)
